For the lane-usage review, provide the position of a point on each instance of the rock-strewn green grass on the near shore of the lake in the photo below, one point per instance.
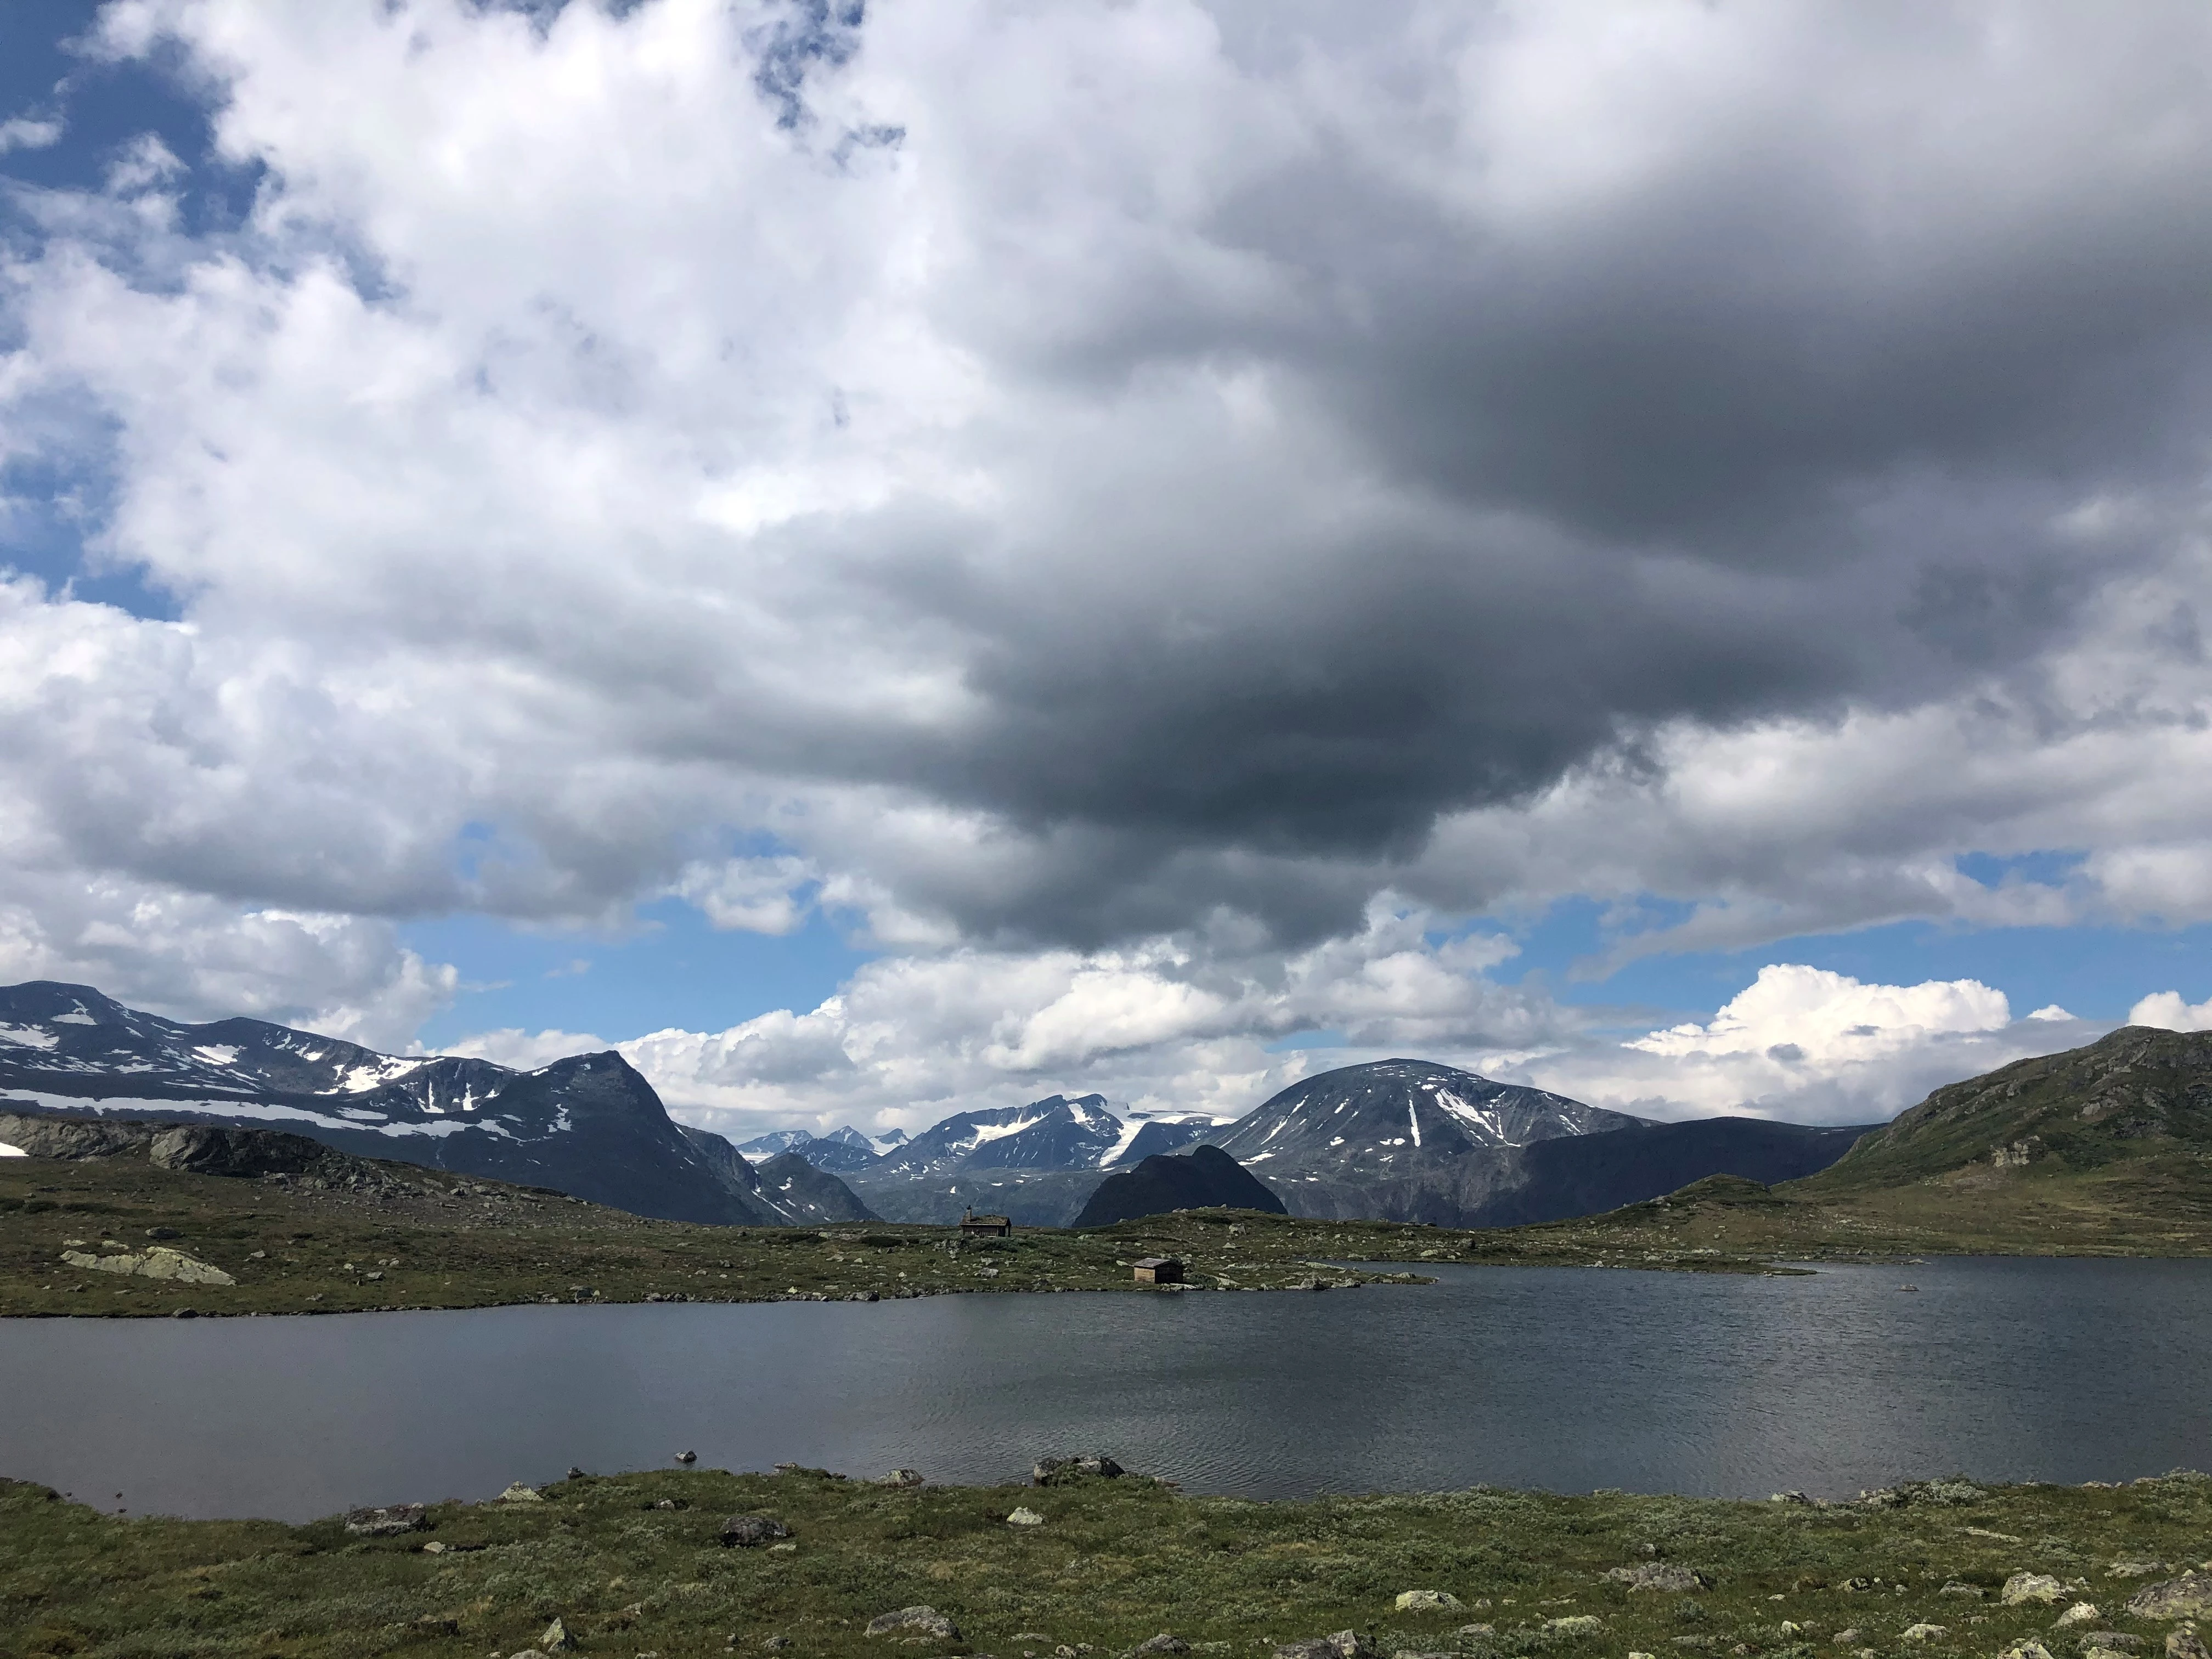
(634, 1565)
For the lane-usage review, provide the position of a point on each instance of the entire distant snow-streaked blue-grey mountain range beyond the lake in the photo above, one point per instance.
(1401, 1140)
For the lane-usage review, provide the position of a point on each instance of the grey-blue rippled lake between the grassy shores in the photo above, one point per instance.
(1516, 1377)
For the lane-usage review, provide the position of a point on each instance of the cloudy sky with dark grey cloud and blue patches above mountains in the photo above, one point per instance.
(908, 559)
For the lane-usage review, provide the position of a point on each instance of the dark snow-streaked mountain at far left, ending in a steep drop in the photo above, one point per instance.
(587, 1125)
